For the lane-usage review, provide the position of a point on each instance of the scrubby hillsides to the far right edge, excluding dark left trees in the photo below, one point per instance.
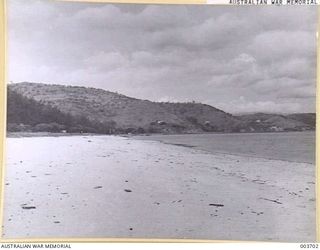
(126, 112)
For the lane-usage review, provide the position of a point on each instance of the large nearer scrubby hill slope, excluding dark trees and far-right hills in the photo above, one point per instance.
(101, 105)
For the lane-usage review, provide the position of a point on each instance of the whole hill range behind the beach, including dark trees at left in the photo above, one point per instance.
(77, 109)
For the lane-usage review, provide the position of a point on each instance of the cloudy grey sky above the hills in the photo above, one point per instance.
(241, 59)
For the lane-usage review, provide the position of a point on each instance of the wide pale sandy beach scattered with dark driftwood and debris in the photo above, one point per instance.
(109, 186)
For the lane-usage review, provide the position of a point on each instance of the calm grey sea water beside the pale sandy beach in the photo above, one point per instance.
(288, 146)
